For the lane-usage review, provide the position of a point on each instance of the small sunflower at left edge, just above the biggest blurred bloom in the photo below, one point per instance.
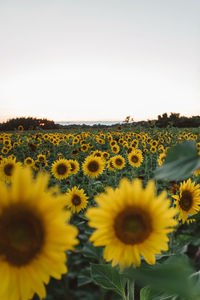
(7, 168)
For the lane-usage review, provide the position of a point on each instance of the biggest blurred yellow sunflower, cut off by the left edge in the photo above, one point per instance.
(34, 236)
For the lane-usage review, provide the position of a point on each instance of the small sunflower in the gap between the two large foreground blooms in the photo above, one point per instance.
(76, 199)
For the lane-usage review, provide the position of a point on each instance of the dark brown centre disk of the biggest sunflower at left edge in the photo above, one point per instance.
(21, 235)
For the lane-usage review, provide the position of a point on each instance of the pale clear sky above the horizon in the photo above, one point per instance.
(99, 59)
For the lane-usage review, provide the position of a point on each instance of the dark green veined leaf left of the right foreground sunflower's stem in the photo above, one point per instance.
(108, 278)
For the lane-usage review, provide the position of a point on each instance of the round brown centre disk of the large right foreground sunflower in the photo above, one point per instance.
(132, 226)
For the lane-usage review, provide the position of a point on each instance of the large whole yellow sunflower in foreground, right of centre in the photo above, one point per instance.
(131, 221)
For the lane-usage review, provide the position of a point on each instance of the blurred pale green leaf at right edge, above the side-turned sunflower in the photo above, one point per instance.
(181, 161)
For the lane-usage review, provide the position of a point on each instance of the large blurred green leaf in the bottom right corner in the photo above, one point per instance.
(170, 277)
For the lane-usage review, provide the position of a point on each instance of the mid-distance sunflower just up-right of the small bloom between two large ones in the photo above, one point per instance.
(93, 166)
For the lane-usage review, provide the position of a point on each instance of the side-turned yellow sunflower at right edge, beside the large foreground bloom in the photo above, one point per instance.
(188, 199)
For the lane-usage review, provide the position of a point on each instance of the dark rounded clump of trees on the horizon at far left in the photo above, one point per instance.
(28, 124)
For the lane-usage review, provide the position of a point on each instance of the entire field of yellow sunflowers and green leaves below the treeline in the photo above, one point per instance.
(100, 214)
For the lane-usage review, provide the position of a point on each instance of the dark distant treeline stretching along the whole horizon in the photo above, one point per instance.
(174, 119)
